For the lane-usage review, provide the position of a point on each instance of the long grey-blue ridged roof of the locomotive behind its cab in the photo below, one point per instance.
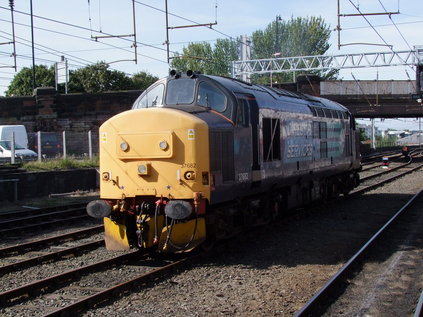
(238, 86)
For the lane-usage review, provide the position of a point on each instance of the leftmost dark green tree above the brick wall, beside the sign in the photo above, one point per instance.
(21, 85)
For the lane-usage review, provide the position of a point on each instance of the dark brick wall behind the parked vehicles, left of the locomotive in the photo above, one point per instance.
(51, 112)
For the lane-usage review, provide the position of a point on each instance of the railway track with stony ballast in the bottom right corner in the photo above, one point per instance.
(375, 248)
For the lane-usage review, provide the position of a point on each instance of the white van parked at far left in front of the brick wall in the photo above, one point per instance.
(21, 142)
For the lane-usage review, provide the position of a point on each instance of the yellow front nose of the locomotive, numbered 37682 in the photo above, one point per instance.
(138, 157)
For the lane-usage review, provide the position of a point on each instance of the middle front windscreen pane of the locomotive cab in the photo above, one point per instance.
(180, 91)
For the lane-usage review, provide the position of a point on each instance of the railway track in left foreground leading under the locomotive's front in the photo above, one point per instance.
(138, 269)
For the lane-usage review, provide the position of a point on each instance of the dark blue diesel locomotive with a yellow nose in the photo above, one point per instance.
(199, 157)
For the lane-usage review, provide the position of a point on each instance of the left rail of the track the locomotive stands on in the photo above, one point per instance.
(63, 278)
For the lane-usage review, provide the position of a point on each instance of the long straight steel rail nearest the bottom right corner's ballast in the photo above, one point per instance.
(322, 299)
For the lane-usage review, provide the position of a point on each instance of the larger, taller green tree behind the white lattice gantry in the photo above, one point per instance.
(295, 37)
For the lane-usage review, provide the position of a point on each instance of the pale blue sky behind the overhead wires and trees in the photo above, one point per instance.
(69, 28)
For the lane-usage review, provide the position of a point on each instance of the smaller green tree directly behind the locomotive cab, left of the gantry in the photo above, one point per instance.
(206, 59)
